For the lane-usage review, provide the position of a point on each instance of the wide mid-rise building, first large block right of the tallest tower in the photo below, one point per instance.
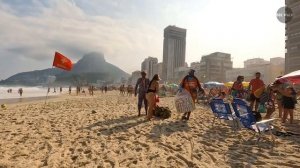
(213, 67)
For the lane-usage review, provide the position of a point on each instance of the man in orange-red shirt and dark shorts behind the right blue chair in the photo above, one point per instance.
(254, 85)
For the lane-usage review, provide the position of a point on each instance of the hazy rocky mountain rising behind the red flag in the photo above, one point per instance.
(90, 68)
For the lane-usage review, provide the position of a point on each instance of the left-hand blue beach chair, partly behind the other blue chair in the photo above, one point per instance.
(222, 111)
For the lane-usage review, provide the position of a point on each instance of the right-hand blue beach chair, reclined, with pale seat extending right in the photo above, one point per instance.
(244, 113)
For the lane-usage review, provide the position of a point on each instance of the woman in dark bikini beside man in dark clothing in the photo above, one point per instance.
(152, 95)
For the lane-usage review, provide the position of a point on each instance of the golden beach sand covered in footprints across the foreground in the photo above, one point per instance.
(104, 131)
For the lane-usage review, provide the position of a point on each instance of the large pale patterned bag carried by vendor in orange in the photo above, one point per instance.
(184, 102)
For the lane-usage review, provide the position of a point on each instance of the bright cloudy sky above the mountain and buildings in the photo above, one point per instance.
(128, 31)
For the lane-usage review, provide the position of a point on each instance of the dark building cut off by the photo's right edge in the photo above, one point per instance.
(292, 34)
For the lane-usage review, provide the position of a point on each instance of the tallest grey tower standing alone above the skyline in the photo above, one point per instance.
(173, 51)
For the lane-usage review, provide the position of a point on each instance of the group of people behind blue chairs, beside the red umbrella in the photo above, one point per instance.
(264, 97)
